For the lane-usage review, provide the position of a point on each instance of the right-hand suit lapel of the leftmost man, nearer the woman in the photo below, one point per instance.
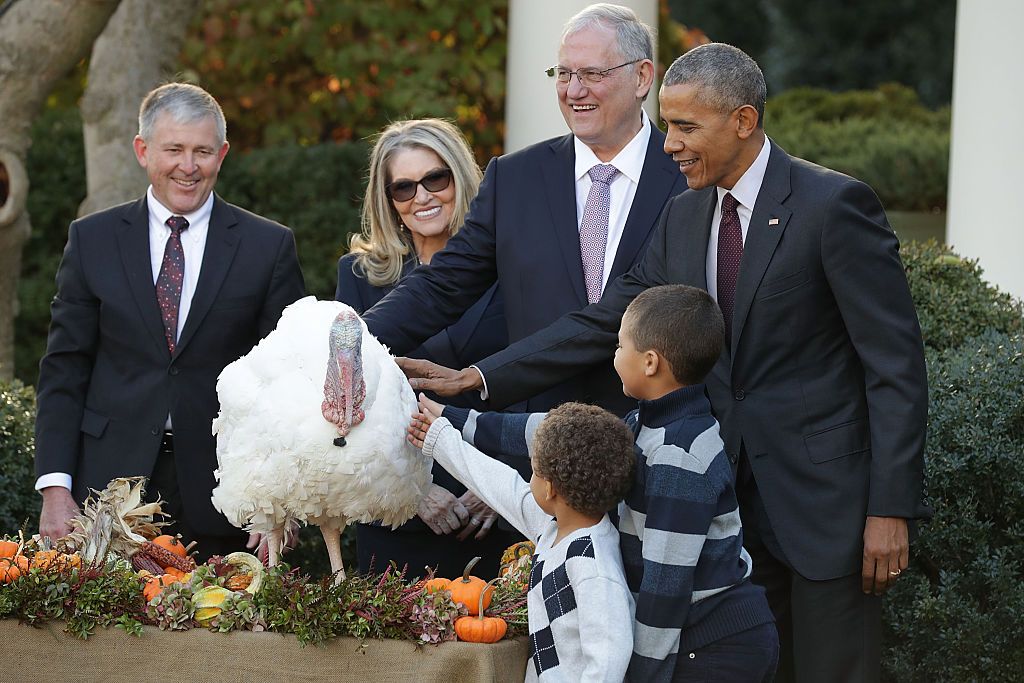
(222, 243)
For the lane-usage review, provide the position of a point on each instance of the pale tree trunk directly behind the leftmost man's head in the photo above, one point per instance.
(148, 35)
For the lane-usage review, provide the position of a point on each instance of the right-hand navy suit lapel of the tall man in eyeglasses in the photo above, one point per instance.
(657, 181)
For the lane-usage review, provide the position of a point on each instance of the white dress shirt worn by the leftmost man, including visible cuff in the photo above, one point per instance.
(194, 246)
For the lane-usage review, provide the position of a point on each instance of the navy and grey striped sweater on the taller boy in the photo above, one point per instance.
(679, 528)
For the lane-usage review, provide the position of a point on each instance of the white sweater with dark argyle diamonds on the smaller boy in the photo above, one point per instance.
(580, 609)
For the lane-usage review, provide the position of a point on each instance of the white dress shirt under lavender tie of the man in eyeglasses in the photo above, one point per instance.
(629, 161)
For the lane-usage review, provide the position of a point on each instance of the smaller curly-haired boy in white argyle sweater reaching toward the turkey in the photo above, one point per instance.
(580, 608)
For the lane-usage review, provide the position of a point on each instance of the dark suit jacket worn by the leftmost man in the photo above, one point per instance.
(108, 381)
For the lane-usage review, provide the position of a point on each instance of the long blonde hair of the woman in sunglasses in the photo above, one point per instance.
(385, 243)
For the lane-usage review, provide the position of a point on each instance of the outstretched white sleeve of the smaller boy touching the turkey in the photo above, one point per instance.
(494, 483)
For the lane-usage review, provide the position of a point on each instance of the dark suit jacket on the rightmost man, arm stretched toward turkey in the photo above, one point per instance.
(825, 383)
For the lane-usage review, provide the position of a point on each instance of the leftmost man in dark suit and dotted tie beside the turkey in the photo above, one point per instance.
(154, 298)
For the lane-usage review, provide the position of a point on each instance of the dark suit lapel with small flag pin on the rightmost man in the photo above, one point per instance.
(762, 238)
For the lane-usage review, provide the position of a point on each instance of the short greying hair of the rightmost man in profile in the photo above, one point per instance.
(726, 76)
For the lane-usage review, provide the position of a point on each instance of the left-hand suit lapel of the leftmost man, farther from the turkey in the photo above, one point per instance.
(134, 243)
